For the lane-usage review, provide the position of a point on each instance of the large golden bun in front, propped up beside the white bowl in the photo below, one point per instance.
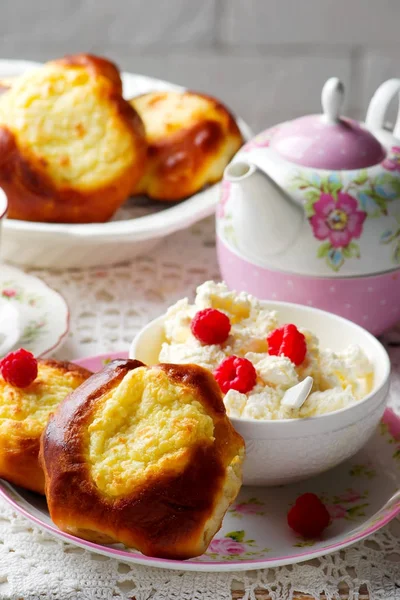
(145, 456)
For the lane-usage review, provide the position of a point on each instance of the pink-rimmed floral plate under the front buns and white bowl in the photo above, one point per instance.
(362, 495)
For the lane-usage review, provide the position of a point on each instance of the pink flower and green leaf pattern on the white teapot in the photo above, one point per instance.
(337, 211)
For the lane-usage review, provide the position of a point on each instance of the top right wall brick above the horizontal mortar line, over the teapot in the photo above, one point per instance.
(311, 22)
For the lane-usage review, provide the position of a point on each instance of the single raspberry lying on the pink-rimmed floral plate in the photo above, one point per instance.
(309, 516)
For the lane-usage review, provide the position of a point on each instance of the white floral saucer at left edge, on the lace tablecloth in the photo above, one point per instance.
(41, 314)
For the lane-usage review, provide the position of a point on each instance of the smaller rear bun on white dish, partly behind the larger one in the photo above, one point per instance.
(191, 138)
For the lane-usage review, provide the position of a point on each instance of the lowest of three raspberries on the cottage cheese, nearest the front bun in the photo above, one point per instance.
(236, 373)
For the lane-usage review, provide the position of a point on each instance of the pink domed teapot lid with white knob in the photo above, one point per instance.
(328, 141)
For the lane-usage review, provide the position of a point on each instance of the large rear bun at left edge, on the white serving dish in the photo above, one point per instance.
(71, 148)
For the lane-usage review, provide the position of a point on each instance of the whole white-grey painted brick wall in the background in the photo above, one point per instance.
(267, 59)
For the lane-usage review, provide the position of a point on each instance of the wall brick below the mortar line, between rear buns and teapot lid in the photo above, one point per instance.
(263, 89)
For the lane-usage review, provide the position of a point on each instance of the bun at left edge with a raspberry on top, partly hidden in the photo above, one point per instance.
(23, 416)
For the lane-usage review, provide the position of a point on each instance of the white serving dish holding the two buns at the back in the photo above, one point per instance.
(136, 228)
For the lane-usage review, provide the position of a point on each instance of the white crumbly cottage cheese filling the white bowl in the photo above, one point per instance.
(341, 378)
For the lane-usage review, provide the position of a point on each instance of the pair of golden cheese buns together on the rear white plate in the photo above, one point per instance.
(73, 150)
